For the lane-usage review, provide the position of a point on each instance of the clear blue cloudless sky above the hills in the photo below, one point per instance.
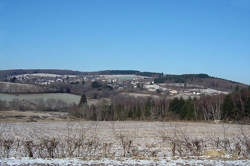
(170, 36)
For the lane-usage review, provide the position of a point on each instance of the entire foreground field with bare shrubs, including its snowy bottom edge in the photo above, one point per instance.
(142, 143)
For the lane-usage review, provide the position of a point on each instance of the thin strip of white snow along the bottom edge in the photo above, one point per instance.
(123, 161)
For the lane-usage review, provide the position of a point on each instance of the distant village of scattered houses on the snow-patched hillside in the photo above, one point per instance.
(121, 83)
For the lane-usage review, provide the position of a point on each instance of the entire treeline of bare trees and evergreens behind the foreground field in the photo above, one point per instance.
(233, 107)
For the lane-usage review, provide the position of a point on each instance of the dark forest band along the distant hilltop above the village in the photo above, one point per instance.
(203, 80)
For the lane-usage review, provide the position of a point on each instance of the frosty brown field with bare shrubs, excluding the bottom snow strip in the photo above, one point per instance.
(87, 142)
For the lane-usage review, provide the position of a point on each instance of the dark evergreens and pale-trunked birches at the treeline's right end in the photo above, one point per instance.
(234, 106)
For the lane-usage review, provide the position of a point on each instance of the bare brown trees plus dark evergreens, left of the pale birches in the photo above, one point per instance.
(135, 108)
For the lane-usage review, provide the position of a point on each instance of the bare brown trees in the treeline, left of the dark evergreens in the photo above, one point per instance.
(124, 108)
